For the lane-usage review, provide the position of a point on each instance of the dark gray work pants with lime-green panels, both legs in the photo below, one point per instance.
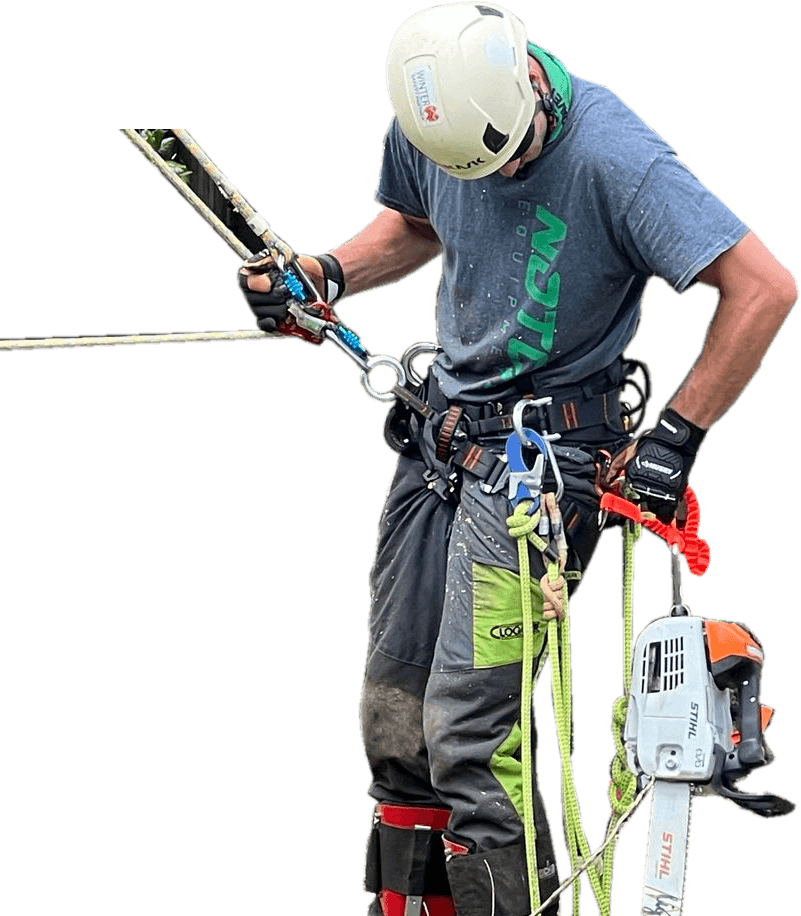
(440, 707)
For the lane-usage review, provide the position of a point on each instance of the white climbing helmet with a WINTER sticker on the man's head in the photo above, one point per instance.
(458, 81)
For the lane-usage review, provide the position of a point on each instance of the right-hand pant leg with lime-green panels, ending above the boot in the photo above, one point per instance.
(472, 702)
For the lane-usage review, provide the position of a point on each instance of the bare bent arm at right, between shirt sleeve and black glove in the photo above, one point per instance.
(757, 294)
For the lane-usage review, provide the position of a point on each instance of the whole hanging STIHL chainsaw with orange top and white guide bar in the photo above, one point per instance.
(695, 727)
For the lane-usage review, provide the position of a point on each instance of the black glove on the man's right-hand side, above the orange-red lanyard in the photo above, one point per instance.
(661, 466)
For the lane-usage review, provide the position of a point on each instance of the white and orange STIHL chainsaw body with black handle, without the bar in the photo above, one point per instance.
(695, 712)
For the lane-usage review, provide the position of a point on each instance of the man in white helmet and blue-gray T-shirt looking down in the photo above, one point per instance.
(552, 205)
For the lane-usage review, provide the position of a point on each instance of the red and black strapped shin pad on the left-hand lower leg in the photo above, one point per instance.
(405, 863)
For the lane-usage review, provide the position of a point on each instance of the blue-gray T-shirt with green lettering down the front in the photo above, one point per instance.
(545, 276)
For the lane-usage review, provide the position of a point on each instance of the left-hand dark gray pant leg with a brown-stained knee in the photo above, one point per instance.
(407, 586)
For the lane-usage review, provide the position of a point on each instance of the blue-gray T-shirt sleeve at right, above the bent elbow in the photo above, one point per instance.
(676, 226)
